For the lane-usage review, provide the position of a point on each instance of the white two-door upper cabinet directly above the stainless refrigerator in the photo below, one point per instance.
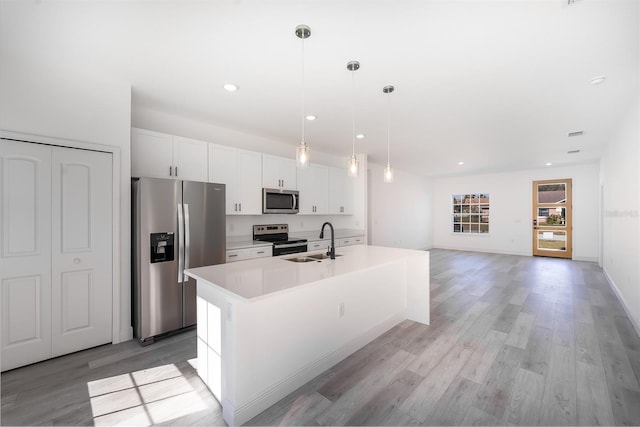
(159, 155)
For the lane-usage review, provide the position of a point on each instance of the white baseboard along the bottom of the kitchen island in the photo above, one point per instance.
(245, 413)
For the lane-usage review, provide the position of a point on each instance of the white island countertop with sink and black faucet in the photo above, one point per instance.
(258, 278)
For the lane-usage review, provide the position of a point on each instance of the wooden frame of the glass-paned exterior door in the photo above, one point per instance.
(568, 229)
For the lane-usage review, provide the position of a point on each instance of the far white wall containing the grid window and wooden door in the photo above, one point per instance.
(510, 220)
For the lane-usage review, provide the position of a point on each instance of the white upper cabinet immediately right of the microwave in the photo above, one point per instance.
(313, 184)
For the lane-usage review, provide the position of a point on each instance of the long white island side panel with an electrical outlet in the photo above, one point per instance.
(285, 341)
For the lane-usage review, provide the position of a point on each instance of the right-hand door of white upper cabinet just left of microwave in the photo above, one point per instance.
(248, 184)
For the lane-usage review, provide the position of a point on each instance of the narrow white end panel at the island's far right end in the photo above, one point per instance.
(418, 289)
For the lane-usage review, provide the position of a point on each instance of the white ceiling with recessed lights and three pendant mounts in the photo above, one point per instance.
(496, 84)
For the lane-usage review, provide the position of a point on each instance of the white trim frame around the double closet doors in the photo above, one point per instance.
(115, 214)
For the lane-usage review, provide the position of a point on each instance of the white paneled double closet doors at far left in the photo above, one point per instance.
(56, 255)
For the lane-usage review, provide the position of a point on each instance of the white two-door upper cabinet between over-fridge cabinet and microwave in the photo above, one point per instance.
(241, 172)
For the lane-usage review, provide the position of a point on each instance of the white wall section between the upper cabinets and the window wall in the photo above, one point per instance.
(400, 213)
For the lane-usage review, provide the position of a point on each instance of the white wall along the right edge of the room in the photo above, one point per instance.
(620, 181)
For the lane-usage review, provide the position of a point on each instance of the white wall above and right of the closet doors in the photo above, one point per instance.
(47, 100)
